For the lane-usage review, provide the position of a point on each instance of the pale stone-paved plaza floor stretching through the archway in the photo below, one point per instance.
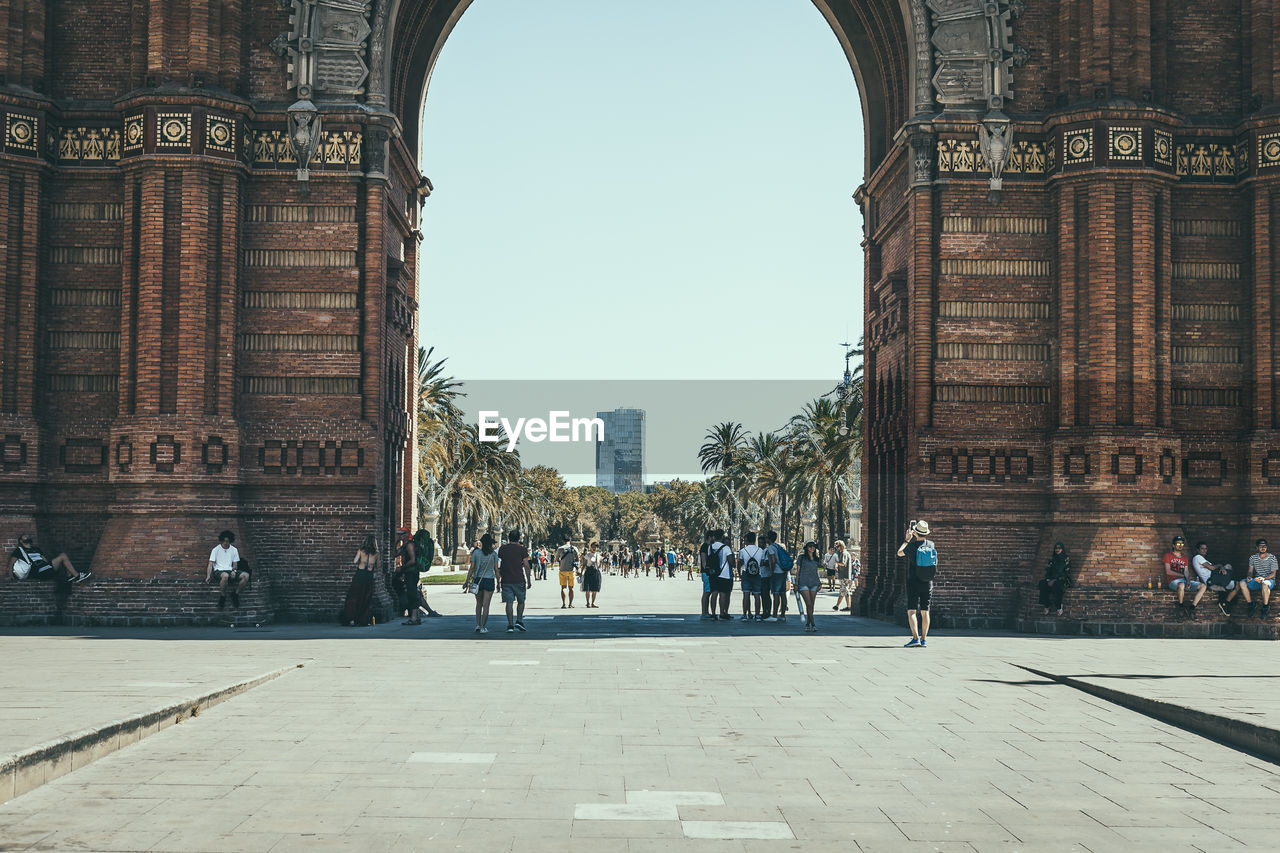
(637, 728)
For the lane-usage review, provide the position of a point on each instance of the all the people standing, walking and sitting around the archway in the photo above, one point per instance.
(760, 568)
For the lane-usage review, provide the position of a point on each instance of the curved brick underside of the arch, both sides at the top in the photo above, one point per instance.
(877, 38)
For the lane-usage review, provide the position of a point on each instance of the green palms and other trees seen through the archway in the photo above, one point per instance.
(755, 481)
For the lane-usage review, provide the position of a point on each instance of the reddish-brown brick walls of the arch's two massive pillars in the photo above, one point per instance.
(190, 343)
